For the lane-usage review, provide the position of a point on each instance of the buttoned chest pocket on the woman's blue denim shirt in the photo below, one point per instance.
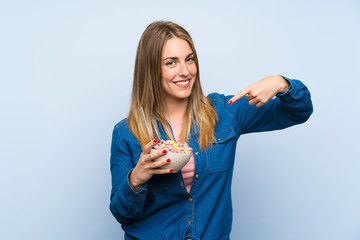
(220, 155)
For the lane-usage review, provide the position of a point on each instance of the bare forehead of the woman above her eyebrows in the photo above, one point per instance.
(176, 47)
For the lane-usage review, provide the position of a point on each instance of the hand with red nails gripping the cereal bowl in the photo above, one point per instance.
(146, 166)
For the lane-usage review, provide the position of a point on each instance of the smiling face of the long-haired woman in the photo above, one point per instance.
(178, 70)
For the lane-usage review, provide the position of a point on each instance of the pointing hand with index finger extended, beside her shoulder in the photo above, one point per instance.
(262, 91)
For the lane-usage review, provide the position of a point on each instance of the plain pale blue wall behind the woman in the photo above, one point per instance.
(66, 72)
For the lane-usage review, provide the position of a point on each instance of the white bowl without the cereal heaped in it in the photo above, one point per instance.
(178, 160)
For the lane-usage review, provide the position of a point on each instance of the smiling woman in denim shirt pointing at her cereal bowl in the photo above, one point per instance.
(151, 202)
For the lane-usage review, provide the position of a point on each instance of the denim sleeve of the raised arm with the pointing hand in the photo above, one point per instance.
(285, 110)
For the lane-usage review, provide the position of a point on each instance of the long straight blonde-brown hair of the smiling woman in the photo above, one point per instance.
(148, 92)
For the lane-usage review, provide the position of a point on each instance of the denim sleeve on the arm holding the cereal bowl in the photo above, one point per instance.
(125, 204)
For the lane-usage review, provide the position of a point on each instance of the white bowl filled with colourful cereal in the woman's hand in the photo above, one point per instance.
(176, 152)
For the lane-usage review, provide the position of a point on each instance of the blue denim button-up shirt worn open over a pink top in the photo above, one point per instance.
(163, 209)
